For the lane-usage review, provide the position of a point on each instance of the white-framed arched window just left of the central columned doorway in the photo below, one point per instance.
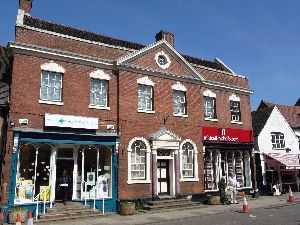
(138, 161)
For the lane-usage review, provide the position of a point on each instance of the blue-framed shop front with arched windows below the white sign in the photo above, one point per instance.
(39, 160)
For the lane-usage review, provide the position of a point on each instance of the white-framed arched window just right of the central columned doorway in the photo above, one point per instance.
(188, 159)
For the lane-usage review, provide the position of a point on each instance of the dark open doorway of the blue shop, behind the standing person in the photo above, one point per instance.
(61, 165)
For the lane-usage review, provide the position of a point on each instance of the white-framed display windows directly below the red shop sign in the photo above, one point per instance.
(219, 163)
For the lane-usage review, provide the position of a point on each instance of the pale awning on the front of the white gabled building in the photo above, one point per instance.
(290, 161)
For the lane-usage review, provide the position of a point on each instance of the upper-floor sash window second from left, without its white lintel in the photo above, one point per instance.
(98, 93)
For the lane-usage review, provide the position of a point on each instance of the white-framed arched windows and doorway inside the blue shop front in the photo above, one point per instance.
(40, 166)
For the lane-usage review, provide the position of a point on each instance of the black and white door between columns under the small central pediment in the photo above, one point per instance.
(163, 177)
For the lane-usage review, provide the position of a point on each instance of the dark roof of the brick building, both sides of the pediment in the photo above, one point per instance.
(91, 36)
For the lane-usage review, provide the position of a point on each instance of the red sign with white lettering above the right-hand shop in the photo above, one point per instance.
(216, 134)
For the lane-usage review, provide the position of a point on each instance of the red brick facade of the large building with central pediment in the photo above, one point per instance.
(78, 59)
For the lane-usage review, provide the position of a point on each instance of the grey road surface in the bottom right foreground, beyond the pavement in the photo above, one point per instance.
(280, 215)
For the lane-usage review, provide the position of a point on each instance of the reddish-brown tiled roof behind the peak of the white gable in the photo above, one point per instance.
(290, 113)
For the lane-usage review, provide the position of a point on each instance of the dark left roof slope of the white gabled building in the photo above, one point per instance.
(259, 119)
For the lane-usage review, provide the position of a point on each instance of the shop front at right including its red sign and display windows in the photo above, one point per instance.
(227, 150)
